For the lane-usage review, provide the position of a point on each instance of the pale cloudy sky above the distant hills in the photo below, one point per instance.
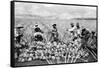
(60, 11)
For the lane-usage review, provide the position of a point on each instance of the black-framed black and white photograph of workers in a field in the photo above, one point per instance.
(53, 33)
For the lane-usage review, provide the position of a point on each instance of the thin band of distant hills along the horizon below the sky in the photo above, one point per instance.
(49, 17)
